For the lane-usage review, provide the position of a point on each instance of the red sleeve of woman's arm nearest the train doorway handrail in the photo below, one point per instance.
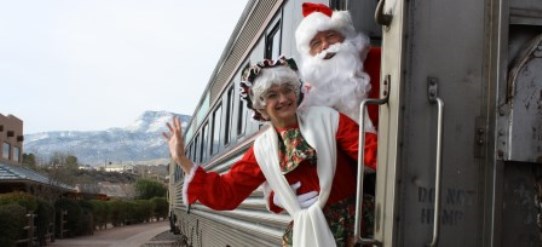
(347, 140)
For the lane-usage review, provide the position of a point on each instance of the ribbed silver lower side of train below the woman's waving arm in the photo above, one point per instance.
(250, 222)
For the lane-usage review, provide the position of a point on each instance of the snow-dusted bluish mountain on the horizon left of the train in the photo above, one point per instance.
(141, 140)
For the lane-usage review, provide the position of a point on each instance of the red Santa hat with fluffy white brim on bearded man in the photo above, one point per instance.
(317, 18)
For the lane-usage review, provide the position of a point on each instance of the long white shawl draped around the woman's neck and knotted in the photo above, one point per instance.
(318, 125)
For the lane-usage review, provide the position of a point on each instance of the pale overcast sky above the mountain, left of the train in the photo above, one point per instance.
(84, 65)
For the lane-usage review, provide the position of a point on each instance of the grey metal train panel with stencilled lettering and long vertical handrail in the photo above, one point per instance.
(433, 131)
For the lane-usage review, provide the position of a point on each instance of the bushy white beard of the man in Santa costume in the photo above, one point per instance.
(339, 82)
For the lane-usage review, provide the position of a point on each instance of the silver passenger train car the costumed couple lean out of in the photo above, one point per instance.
(460, 132)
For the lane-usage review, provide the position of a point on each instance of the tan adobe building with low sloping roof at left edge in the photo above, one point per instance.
(15, 177)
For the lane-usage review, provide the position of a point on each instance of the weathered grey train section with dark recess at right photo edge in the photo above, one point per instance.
(517, 133)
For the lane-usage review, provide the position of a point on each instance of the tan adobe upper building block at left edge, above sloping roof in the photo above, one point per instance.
(11, 139)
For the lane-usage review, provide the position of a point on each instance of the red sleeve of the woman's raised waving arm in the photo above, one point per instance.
(226, 191)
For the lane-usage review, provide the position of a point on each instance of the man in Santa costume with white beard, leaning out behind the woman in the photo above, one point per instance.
(333, 55)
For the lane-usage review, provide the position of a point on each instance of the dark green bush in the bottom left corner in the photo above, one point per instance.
(12, 220)
